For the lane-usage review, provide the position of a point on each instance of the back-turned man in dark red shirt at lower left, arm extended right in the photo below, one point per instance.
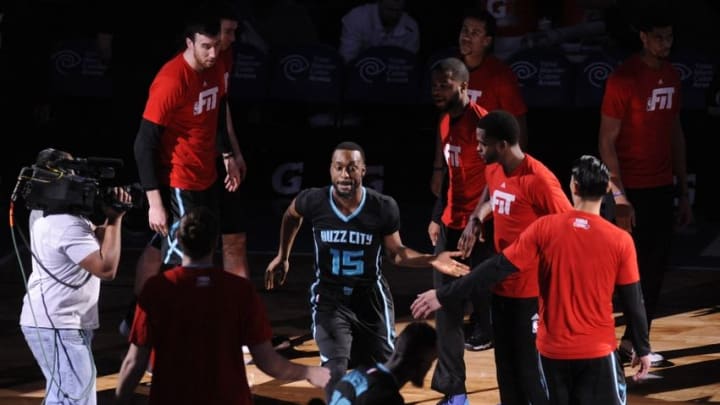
(196, 318)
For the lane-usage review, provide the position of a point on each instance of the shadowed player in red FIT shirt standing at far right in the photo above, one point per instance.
(642, 142)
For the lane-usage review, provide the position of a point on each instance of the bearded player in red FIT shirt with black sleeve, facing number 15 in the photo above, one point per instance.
(456, 150)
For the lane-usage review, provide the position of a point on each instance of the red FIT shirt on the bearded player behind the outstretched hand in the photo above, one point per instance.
(466, 169)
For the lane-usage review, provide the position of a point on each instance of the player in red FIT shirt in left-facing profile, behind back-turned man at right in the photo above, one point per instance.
(520, 190)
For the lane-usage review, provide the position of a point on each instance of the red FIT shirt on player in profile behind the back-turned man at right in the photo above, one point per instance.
(518, 199)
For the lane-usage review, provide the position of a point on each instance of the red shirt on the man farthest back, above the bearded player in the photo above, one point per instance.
(494, 86)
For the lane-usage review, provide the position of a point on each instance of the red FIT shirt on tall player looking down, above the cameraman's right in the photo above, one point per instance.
(186, 103)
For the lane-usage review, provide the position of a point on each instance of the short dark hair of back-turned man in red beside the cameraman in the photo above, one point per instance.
(198, 232)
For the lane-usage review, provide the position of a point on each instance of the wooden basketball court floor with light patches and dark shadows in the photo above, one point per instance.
(687, 333)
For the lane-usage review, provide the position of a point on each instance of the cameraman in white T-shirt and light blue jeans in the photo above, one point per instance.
(60, 309)
